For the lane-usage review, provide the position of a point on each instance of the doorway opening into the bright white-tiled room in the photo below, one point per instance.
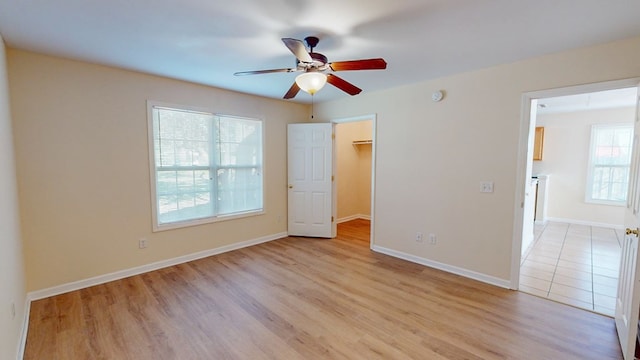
(574, 254)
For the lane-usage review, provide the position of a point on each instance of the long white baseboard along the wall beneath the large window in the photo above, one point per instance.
(101, 279)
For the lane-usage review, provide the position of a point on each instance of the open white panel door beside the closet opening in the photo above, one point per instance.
(310, 170)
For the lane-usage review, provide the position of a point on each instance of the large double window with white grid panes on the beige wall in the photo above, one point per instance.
(203, 166)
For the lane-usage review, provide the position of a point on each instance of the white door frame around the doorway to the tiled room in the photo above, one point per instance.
(523, 170)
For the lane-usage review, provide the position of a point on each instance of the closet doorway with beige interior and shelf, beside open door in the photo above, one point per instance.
(354, 159)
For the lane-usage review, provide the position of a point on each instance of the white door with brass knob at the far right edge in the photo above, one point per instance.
(628, 297)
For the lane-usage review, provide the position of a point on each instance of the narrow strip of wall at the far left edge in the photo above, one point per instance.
(12, 275)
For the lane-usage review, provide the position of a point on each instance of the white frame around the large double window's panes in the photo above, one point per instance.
(157, 226)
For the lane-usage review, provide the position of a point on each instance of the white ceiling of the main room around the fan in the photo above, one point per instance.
(207, 41)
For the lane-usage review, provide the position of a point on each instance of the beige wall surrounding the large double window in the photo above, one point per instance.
(83, 168)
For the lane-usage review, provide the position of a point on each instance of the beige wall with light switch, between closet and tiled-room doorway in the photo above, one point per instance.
(431, 157)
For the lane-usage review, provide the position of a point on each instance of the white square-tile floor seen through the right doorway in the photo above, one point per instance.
(574, 264)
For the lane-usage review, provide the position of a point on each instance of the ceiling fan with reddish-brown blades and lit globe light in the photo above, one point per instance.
(313, 66)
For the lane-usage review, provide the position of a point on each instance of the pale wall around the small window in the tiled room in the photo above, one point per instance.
(567, 138)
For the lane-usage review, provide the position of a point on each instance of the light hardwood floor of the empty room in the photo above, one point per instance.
(302, 298)
